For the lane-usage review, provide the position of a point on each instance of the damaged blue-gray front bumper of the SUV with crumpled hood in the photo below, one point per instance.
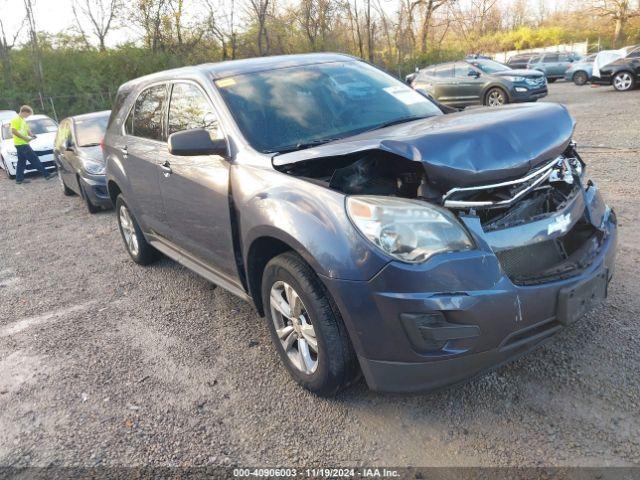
(420, 327)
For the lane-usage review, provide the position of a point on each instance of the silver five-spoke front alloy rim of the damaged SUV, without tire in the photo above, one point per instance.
(293, 327)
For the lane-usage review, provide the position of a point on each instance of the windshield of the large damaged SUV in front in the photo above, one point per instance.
(290, 108)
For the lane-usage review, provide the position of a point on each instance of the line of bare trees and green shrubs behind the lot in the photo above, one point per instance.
(79, 68)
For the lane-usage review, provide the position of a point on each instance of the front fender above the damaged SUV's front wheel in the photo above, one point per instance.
(309, 218)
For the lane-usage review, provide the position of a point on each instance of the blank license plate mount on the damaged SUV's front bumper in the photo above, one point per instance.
(575, 301)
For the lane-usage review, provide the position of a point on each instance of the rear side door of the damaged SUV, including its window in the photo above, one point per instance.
(144, 142)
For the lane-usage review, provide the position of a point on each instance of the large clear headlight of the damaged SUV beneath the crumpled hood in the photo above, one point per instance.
(409, 230)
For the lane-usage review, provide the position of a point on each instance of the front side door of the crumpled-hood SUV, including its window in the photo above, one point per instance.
(195, 189)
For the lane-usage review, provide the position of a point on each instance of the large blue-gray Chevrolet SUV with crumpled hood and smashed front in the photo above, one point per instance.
(375, 233)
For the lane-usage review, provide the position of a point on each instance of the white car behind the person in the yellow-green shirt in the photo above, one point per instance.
(44, 128)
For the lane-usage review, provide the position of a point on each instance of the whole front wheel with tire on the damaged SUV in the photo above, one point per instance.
(306, 326)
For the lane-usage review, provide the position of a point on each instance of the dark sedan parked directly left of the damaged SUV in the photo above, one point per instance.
(78, 156)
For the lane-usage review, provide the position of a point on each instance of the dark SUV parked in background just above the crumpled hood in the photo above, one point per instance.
(480, 82)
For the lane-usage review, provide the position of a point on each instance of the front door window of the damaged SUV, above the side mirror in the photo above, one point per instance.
(189, 108)
